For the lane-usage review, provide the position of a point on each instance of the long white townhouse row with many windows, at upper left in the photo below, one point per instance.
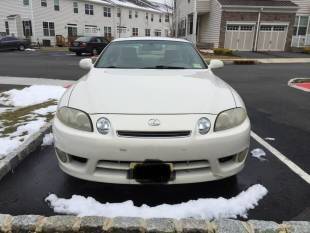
(43, 20)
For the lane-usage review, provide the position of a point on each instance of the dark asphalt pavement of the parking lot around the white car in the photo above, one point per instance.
(275, 110)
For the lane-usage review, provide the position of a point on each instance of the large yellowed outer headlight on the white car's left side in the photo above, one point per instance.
(74, 118)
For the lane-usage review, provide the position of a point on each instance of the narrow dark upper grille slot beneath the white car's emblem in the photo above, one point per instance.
(153, 134)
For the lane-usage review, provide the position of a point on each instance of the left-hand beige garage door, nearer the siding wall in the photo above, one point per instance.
(239, 37)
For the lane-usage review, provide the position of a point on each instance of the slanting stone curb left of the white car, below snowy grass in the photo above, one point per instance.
(31, 144)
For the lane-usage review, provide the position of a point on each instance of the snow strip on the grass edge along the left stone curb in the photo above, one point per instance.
(23, 132)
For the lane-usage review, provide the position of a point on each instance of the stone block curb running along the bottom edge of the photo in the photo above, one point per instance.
(36, 223)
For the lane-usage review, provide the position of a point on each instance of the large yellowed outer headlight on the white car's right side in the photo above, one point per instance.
(230, 118)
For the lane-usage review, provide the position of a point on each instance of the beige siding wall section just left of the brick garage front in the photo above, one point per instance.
(209, 27)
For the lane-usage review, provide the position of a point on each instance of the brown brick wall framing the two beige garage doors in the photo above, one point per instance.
(253, 16)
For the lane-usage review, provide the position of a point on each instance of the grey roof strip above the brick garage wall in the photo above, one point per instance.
(258, 3)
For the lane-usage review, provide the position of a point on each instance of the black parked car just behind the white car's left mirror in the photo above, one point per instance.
(89, 44)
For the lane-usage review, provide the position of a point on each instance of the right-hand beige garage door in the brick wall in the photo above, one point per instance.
(272, 38)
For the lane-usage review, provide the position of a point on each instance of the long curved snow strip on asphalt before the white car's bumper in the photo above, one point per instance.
(207, 208)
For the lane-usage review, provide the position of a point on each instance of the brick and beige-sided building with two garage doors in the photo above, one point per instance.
(248, 25)
